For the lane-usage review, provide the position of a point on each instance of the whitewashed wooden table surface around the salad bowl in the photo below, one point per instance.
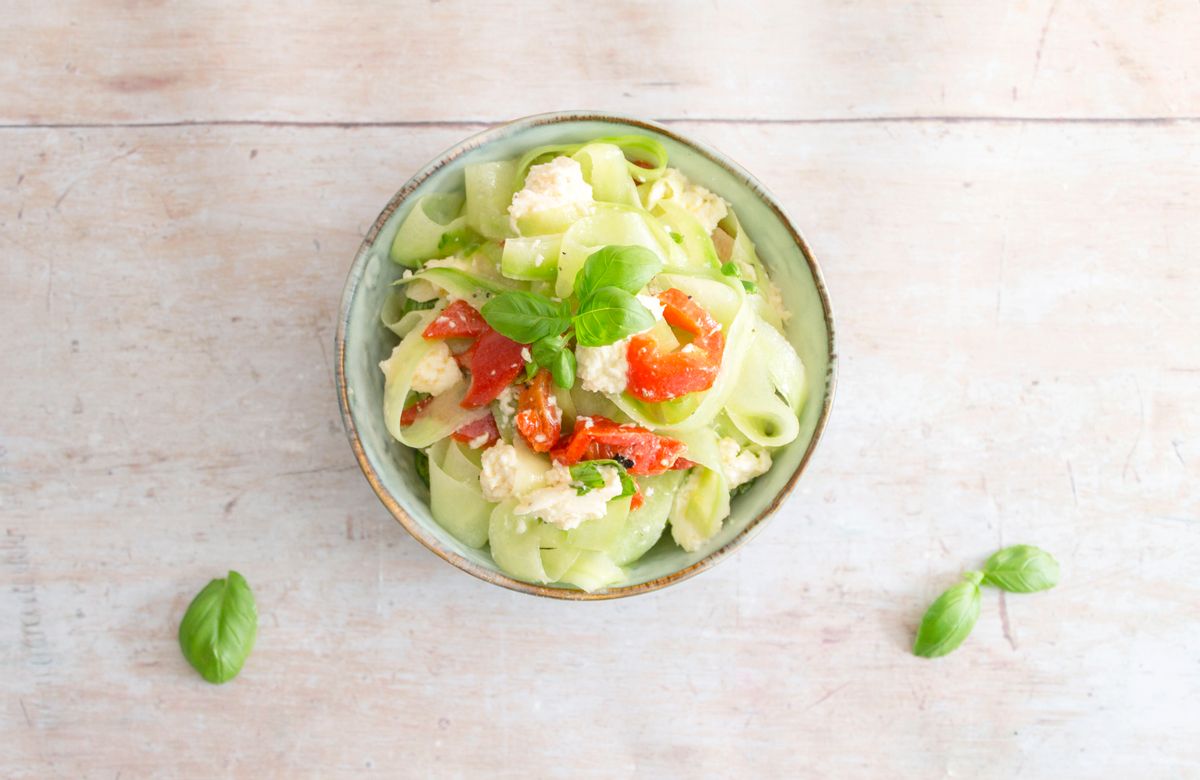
(1006, 202)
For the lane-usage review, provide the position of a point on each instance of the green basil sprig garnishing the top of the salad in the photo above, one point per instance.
(607, 313)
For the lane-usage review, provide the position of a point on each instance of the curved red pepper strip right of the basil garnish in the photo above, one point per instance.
(657, 376)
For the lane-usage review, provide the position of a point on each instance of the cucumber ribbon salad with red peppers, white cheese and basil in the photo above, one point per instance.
(573, 363)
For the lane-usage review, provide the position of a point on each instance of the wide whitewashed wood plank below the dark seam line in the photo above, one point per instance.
(1019, 364)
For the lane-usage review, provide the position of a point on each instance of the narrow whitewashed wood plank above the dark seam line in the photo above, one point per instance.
(421, 62)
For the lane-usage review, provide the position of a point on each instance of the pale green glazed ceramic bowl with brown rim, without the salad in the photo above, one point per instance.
(363, 343)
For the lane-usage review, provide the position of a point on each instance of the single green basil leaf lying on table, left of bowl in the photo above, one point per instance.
(219, 629)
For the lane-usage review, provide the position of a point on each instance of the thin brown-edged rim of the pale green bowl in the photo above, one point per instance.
(490, 135)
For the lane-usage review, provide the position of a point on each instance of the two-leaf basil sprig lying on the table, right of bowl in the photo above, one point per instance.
(950, 620)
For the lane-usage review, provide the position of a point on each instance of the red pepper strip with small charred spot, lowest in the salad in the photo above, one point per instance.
(641, 452)
